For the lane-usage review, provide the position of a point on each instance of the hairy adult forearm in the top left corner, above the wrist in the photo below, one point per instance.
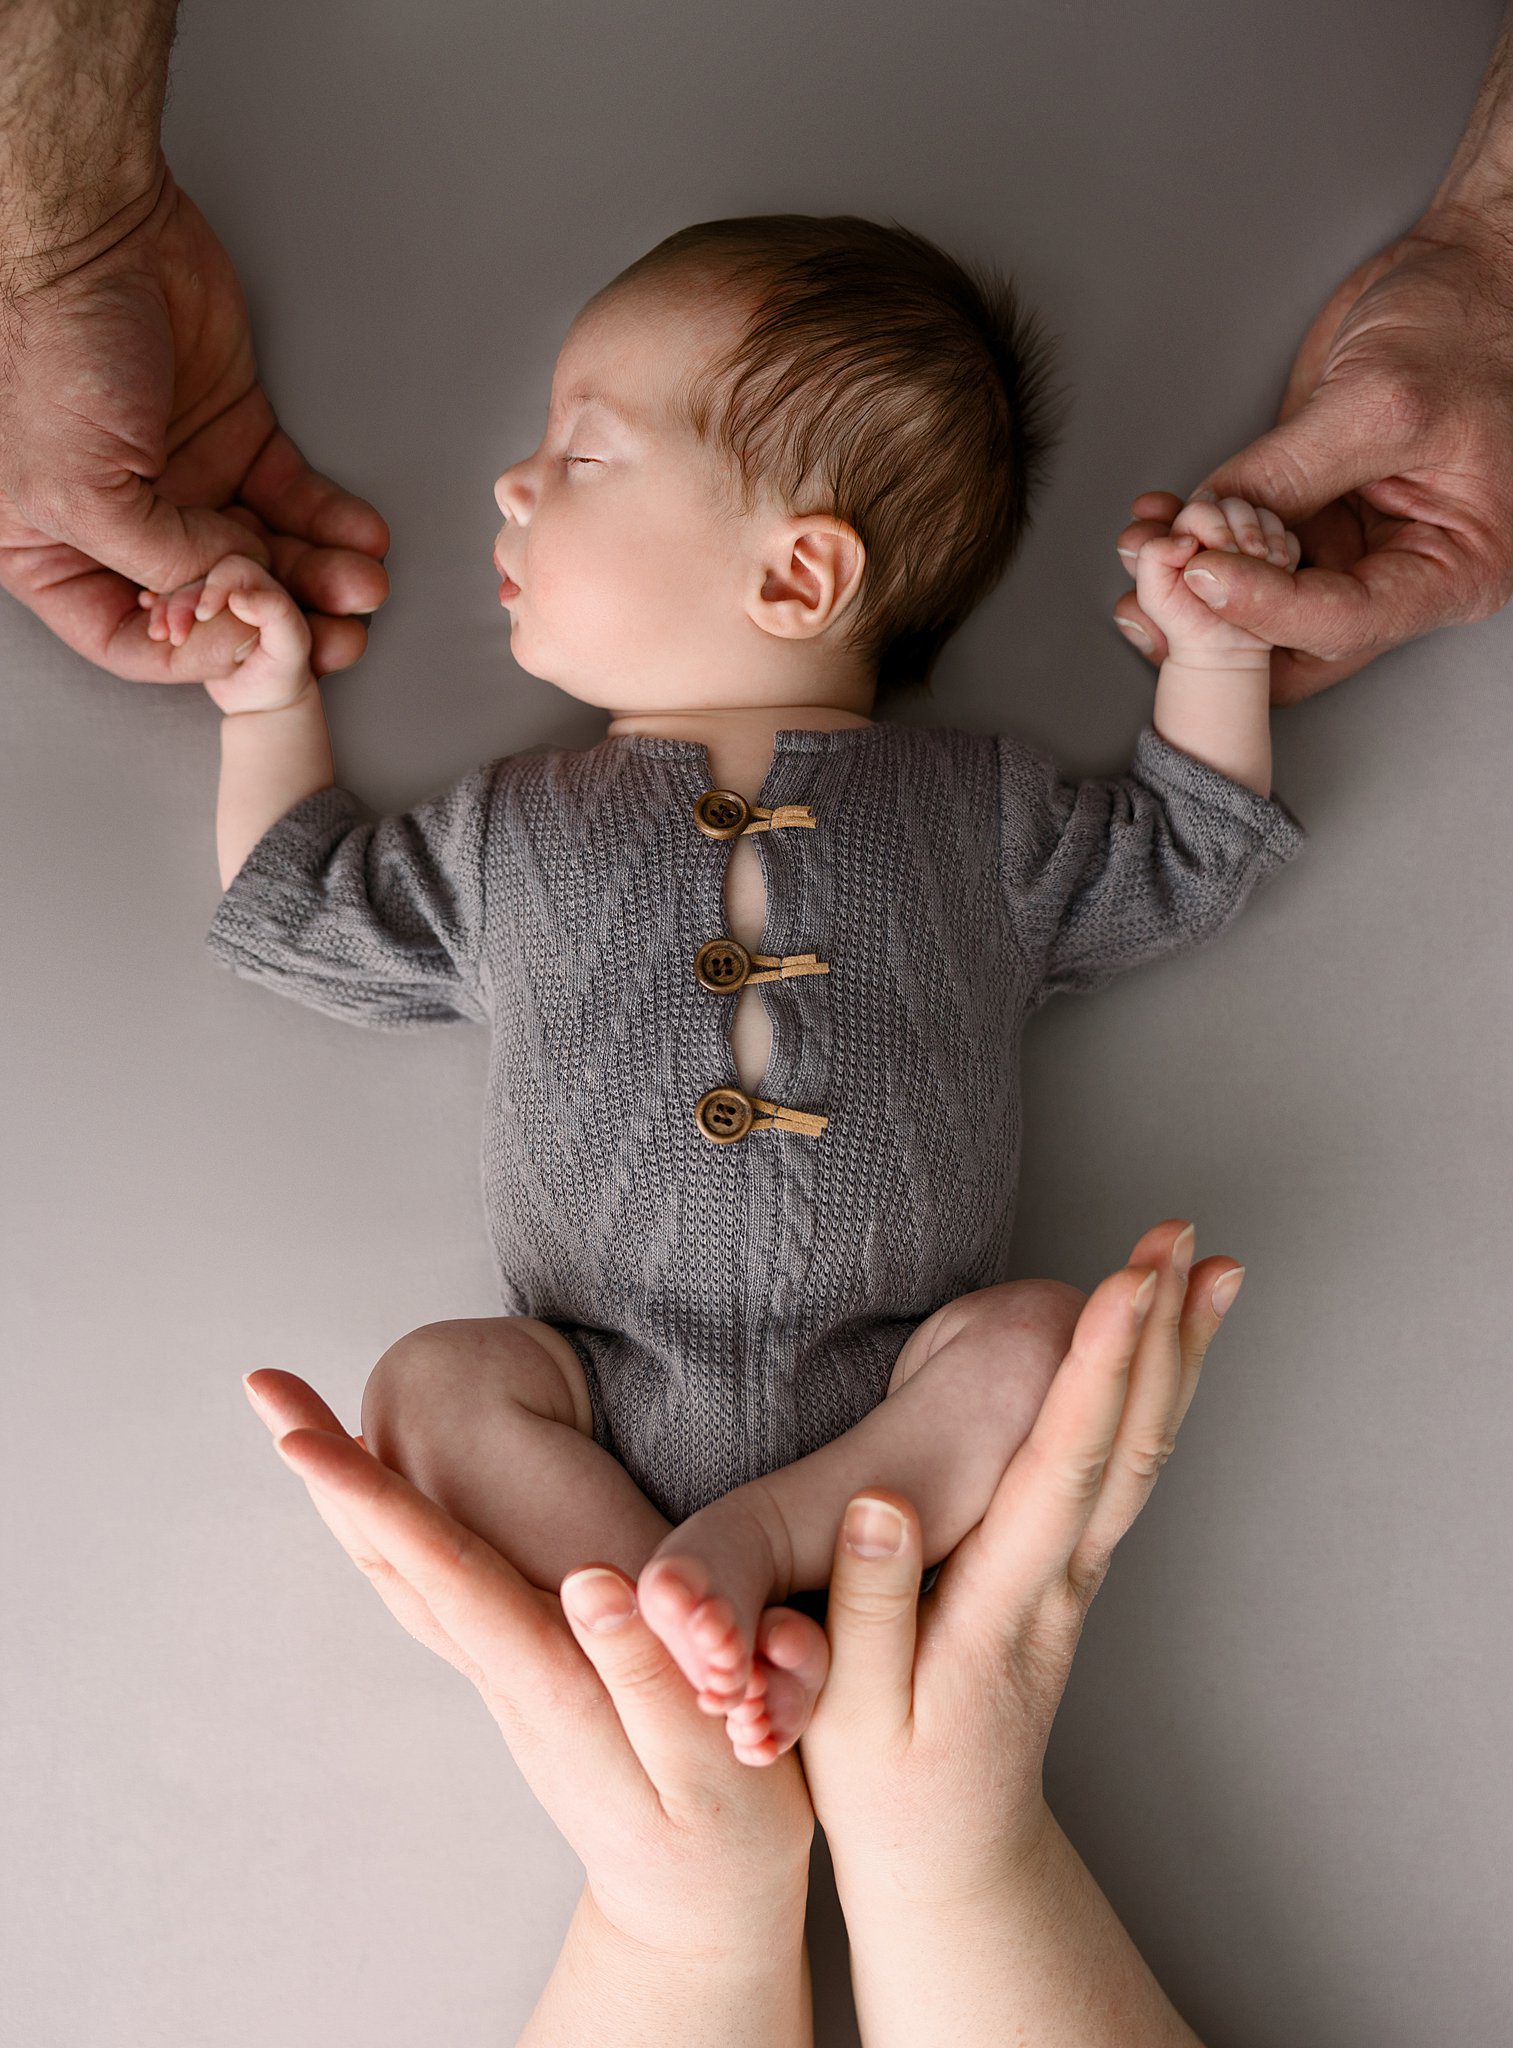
(83, 89)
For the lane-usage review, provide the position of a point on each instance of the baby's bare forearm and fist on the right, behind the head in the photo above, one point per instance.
(1215, 689)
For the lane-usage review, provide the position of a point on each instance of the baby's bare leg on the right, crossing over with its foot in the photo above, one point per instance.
(965, 1392)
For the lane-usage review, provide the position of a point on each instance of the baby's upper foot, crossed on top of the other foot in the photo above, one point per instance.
(705, 1586)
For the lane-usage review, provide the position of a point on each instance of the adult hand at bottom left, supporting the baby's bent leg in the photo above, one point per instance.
(687, 1850)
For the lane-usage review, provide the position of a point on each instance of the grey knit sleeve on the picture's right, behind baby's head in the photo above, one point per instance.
(1127, 869)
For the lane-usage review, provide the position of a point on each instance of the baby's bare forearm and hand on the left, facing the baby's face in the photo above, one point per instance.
(275, 746)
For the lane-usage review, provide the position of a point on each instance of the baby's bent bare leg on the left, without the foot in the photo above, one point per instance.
(490, 1418)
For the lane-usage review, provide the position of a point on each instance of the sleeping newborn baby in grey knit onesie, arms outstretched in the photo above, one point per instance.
(756, 964)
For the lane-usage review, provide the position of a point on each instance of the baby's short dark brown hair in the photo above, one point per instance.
(888, 384)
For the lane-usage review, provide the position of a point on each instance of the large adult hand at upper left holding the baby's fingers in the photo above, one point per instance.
(138, 447)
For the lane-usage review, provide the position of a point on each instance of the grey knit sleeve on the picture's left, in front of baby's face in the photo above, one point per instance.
(372, 921)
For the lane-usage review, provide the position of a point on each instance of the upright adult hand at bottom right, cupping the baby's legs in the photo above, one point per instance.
(949, 1703)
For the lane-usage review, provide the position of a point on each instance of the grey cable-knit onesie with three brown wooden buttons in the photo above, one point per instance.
(740, 1281)
